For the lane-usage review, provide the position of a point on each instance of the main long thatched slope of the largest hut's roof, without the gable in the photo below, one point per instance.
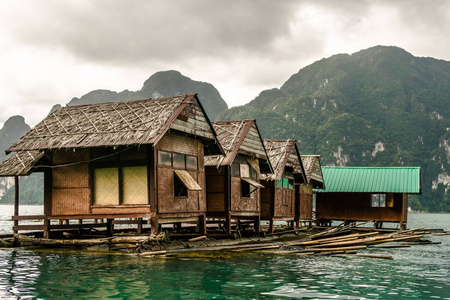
(104, 124)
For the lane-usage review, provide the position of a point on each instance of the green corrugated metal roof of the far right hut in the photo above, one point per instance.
(372, 180)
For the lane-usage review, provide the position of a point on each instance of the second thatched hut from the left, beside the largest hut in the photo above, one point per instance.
(232, 181)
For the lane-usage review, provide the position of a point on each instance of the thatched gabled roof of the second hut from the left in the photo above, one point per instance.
(237, 137)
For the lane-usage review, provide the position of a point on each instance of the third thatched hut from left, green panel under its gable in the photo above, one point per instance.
(278, 196)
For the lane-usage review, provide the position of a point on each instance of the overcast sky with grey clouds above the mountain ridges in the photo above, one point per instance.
(52, 51)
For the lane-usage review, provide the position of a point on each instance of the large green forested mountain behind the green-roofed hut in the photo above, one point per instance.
(377, 107)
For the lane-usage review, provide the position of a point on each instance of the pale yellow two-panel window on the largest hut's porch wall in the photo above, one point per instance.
(118, 186)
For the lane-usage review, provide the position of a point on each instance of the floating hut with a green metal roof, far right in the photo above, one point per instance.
(367, 194)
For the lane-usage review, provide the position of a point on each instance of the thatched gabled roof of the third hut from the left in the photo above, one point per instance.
(283, 153)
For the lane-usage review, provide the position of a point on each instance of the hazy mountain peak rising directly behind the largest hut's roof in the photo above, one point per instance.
(159, 85)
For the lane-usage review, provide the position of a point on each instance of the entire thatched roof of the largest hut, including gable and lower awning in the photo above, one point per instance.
(110, 124)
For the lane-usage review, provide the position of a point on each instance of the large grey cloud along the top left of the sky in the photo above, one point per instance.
(123, 31)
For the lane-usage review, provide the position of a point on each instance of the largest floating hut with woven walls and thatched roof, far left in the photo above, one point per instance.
(139, 160)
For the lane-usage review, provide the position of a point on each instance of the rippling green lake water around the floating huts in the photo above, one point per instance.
(420, 272)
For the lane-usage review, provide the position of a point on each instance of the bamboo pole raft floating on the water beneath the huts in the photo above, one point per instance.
(336, 241)
